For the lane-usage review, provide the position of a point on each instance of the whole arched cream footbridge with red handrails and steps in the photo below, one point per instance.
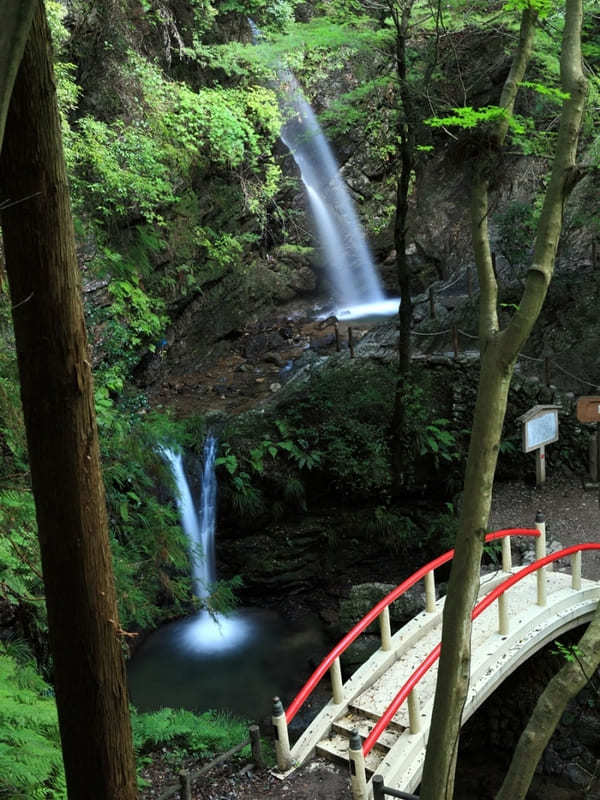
(379, 719)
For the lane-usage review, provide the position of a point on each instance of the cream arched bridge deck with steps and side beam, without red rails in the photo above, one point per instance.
(399, 754)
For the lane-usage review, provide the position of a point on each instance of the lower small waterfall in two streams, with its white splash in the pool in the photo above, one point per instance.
(207, 631)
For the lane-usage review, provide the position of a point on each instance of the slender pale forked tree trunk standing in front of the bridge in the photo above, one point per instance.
(499, 350)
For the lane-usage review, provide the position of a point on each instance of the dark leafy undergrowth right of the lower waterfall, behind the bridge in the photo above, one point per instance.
(329, 437)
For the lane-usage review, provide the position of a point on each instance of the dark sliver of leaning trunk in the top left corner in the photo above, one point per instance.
(16, 16)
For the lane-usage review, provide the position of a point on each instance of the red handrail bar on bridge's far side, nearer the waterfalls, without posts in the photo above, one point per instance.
(364, 623)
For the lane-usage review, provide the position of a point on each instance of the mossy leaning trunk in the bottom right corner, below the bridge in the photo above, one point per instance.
(565, 685)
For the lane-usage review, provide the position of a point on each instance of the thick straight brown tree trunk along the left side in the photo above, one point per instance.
(58, 405)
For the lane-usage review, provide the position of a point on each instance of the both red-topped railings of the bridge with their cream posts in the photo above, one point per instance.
(342, 694)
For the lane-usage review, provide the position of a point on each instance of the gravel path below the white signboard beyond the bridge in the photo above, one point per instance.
(572, 513)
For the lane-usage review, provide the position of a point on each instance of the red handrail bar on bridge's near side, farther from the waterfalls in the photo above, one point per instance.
(484, 603)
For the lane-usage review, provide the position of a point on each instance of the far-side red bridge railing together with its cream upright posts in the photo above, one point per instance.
(331, 662)
